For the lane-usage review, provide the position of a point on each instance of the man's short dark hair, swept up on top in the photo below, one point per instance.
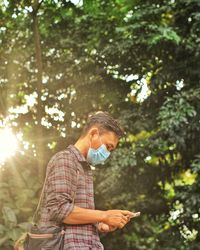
(104, 122)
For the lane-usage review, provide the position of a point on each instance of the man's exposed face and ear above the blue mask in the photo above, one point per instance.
(109, 138)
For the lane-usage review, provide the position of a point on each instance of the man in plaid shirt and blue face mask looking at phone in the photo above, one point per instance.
(69, 197)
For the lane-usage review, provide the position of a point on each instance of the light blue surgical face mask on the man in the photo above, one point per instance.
(99, 155)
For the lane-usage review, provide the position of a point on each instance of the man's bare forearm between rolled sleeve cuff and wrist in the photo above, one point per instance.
(84, 216)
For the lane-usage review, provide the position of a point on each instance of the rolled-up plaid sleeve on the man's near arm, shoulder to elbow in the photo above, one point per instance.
(62, 182)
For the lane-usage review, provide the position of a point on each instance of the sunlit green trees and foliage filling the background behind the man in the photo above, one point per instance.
(139, 60)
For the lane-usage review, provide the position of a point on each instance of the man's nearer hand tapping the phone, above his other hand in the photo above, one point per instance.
(117, 218)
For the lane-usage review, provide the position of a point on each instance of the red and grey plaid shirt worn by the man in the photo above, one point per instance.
(69, 182)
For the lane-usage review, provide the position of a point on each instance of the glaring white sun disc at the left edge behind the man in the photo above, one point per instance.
(8, 144)
